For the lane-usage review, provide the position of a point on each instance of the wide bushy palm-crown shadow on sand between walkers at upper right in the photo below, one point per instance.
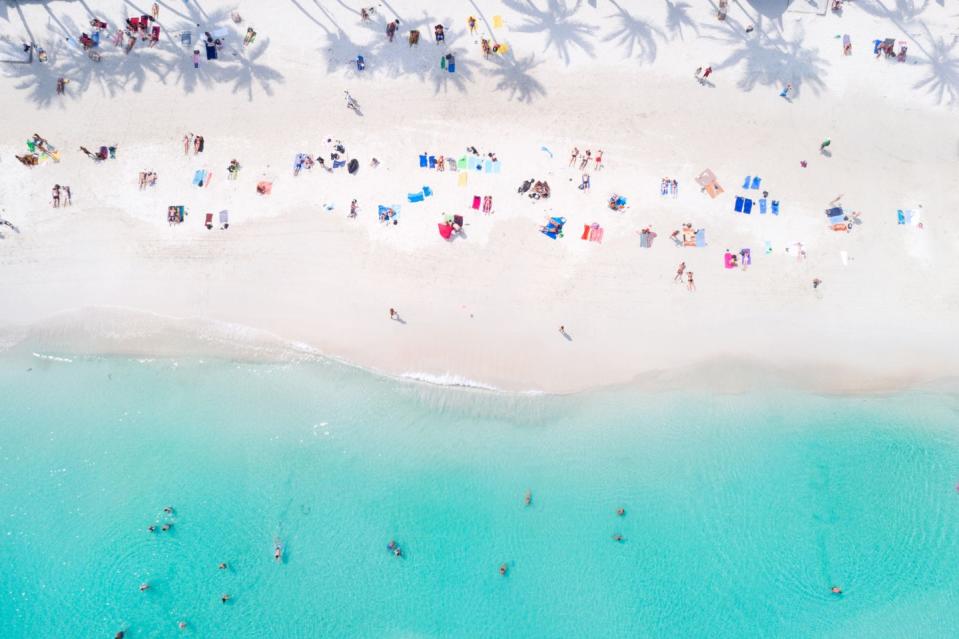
(770, 60)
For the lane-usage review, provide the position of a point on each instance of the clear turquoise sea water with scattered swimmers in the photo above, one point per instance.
(741, 511)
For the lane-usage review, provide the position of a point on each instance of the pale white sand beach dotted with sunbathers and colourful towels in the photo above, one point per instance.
(110, 275)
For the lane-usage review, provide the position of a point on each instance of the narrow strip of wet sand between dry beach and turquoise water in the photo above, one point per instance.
(103, 332)
